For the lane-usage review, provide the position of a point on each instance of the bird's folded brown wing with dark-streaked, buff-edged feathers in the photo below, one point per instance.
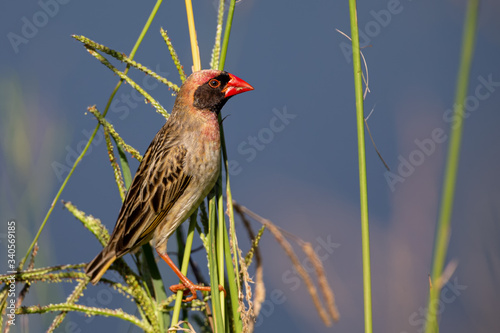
(158, 183)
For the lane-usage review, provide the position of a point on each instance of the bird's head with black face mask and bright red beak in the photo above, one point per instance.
(210, 89)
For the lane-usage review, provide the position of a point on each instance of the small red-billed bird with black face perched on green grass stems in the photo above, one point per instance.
(178, 170)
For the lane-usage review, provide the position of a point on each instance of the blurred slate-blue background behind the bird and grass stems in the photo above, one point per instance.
(293, 140)
